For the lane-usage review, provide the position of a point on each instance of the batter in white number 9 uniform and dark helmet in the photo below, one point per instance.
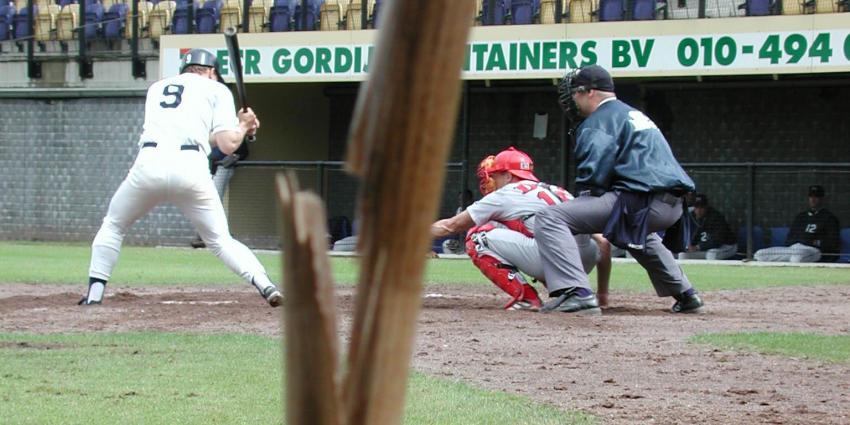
(184, 114)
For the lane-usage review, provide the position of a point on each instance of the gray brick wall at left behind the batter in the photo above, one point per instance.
(60, 162)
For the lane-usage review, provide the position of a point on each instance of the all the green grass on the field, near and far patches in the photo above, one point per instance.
(148, 378)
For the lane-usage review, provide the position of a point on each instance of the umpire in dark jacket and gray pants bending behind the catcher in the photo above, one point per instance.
(630, 186)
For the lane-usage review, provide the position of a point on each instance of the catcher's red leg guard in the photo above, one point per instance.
(507, 278)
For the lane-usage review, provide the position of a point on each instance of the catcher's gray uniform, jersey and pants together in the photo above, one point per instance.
(521, 201)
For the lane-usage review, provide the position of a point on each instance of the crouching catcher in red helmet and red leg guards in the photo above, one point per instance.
(500, 237)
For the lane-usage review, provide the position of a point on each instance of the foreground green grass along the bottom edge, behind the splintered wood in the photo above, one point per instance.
(161, 378)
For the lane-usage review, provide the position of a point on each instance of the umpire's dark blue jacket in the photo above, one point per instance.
(618, 147)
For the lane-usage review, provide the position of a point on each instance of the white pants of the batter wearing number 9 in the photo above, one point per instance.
(167, 174)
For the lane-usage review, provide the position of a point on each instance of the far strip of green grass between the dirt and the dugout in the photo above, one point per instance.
(50, 263)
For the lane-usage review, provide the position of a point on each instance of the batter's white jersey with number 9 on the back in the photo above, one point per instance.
(186, 110)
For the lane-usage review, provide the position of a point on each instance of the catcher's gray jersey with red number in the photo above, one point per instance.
(515, 204)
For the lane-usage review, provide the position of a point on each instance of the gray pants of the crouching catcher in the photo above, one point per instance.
(515, 249)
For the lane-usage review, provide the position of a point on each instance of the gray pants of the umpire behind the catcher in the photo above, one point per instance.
(555, 226)
